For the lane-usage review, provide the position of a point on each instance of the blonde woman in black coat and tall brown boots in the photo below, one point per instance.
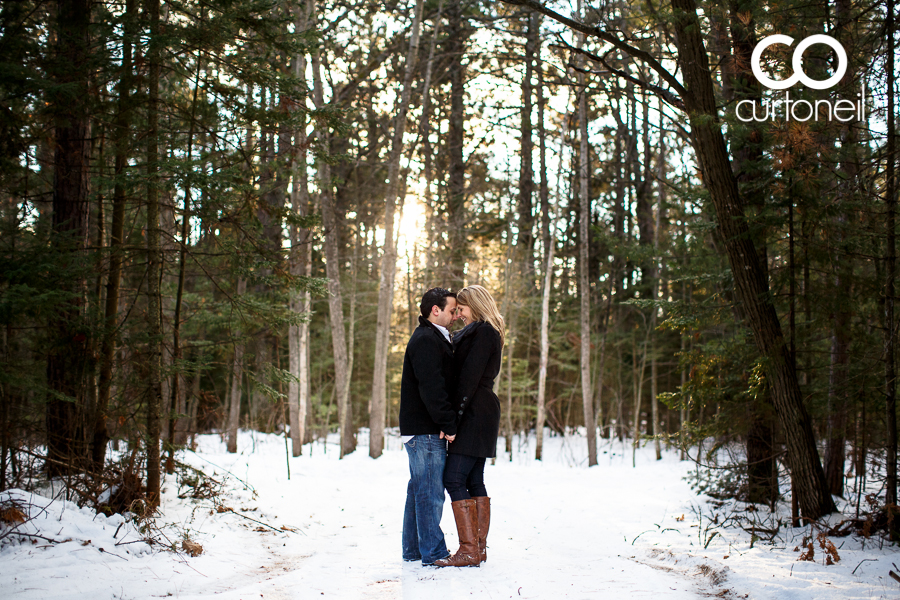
(477, 350)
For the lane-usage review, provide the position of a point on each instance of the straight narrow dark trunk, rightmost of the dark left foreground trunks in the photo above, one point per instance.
(154, 269)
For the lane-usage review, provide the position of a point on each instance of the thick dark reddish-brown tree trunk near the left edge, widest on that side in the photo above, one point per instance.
(68, 363)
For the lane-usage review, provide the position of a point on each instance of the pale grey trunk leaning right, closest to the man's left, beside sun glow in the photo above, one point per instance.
(389, 259)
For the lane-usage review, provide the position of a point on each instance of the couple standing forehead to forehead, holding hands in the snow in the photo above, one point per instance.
(449, 421)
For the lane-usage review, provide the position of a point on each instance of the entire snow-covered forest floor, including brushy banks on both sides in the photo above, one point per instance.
(558, 530)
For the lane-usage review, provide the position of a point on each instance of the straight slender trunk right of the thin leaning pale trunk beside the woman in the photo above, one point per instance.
(584, 243)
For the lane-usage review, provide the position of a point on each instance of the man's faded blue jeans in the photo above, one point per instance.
(422, 535)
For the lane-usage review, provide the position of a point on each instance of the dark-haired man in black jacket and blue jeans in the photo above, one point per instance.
(427, 419)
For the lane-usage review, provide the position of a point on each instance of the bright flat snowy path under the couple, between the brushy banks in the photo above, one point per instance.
(557, 532)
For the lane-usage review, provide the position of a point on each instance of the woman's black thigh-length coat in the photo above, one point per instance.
(477, 351)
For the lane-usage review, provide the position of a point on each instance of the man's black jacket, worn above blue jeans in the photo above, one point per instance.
(427, 383)
